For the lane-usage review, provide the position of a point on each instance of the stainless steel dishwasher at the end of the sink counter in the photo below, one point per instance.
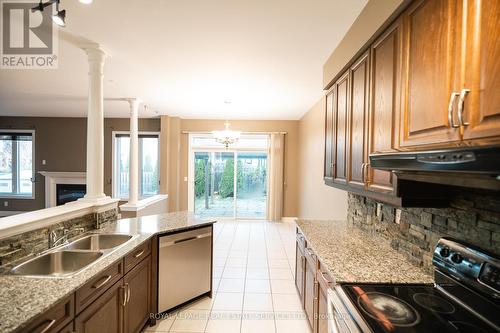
(184, 267)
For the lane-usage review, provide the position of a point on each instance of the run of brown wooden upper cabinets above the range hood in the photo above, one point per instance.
(430, 80)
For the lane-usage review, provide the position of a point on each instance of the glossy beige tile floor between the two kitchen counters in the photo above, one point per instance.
(254, 287)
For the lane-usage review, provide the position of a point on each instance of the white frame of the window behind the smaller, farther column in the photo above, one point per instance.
(114, 183)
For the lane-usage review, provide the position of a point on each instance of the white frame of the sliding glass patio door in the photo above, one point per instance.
(235, 151)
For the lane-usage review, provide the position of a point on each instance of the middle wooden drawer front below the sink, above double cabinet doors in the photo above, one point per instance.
(98, 285)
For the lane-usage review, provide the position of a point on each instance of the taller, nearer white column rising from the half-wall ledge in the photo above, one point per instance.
(95, 126)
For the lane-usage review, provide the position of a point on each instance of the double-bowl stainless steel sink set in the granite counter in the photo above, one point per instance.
(71, 258)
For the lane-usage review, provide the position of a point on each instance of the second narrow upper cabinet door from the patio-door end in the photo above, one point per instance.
(341, 104)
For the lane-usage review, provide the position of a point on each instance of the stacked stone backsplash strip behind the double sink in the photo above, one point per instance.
(22, 245)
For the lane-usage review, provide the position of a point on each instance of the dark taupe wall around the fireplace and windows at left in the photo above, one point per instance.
(62, 142)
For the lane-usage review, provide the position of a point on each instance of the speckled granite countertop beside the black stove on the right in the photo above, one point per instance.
(352, 255)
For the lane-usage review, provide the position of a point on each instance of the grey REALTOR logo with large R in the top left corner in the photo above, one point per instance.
(28, 38)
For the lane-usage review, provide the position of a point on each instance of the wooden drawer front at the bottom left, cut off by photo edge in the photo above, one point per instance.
(53, 320)
